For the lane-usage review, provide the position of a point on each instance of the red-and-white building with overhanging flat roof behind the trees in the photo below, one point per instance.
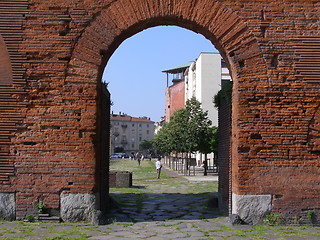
(201, 79)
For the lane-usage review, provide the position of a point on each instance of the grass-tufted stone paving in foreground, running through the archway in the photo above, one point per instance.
(166, 213)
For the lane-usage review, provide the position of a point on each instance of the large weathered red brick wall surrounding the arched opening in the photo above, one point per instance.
(58, 49)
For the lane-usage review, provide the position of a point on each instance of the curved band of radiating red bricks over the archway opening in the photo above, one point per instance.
(124, 18)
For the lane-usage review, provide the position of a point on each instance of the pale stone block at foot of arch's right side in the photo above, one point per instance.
(251, 208)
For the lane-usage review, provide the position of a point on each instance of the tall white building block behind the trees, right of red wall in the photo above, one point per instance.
(203, 81)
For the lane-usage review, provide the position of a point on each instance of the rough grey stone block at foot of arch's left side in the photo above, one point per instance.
(76, 207)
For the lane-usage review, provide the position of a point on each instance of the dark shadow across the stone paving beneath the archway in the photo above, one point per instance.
(148, 207)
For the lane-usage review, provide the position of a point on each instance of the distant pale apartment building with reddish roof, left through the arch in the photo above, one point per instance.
(128, 132)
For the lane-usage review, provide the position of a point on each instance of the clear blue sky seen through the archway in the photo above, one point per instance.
(134, 72)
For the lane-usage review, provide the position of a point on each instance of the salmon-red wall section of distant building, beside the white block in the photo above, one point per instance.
(174, 99)
